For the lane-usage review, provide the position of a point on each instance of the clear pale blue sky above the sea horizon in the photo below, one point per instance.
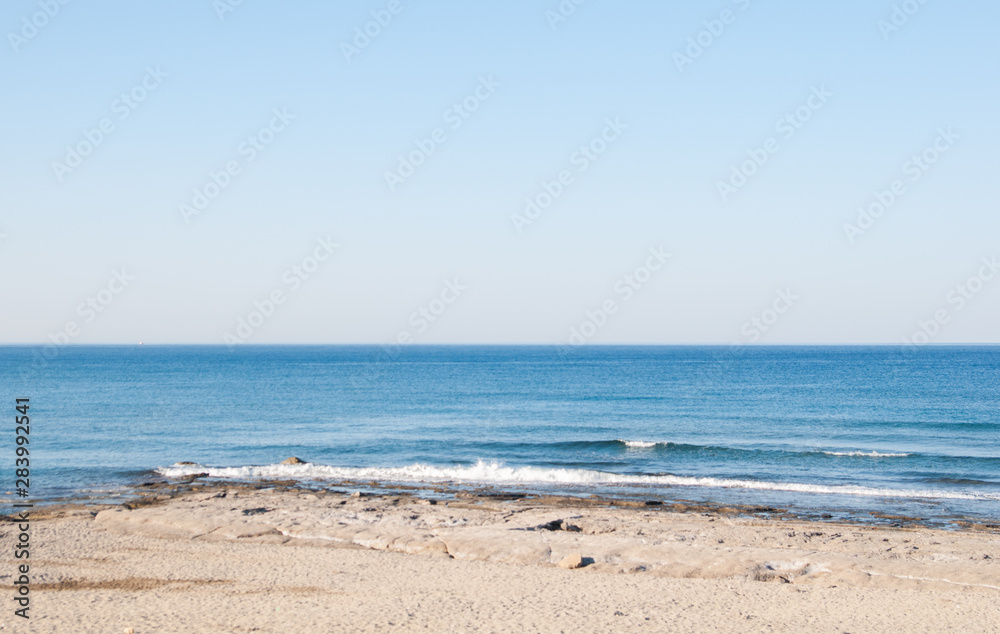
(583, 172)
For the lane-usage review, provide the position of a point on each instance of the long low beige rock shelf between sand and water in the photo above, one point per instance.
(527, 533)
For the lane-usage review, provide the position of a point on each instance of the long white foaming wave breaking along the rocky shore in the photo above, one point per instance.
(494, 472)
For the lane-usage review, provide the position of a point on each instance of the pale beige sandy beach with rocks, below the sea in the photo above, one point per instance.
(242, 559)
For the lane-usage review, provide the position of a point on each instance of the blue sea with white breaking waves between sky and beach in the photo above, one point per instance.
(842, 430)
